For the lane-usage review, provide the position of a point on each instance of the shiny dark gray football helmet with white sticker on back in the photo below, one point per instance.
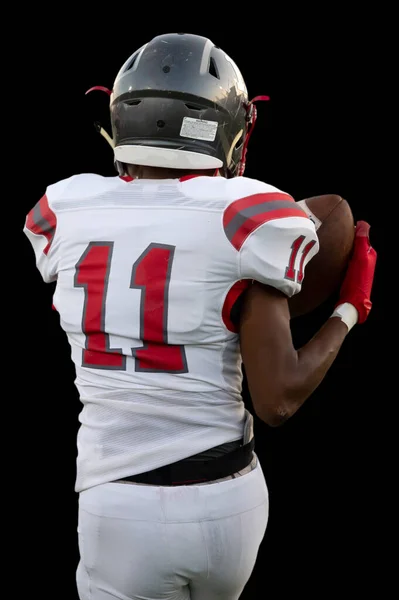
(179, 102)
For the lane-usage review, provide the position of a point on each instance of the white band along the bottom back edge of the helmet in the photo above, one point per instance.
(165, 157)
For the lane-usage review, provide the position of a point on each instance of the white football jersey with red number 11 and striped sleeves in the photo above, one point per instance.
(146, 273)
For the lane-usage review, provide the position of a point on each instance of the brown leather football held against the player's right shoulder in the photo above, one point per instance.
(324, 273)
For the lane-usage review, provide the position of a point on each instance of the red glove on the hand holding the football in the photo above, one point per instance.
(356, 287)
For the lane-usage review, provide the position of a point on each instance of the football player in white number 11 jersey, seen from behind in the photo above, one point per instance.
(148, 266)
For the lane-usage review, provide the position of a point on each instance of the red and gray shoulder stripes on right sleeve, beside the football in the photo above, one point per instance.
(243, 216)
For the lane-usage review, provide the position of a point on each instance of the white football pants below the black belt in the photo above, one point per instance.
(197, 542)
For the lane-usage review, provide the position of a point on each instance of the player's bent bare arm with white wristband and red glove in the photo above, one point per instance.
(280, 378)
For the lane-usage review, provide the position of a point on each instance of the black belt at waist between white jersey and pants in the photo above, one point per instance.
(188, 472)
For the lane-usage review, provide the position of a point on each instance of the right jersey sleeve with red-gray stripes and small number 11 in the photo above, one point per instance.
(273, 236)
